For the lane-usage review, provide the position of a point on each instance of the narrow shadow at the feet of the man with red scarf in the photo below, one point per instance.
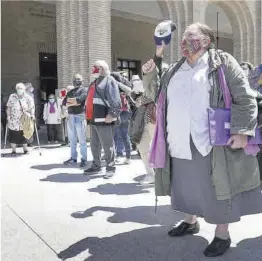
(70, 178)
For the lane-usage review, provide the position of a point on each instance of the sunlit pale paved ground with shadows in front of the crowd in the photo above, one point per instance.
(50, 212)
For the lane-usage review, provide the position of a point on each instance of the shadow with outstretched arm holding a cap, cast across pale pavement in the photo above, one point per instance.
(139, 214)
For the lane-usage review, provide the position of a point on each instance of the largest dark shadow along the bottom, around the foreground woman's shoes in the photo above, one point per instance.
(153, 244)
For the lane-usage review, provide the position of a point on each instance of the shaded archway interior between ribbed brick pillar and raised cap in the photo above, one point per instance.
(132, 27)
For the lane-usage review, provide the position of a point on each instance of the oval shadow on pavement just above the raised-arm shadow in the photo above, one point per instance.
(121, 189)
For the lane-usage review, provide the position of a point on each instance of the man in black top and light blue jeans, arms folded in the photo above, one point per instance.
(75, 102)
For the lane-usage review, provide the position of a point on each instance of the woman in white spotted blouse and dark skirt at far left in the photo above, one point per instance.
(19, 104)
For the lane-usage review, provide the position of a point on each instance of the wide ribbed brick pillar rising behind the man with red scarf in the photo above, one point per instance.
(83, 36)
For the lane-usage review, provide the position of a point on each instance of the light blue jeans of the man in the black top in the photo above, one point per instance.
(77, 130)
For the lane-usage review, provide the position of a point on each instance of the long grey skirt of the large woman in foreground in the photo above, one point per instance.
(193, 193)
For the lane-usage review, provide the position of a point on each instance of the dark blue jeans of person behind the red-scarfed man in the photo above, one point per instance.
(122, 138)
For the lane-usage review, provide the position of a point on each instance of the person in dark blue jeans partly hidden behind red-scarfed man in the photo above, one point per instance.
(121, 136)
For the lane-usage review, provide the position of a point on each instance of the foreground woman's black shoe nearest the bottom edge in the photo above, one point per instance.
(217, 247)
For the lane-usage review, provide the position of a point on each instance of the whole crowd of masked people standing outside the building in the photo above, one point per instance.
(169, 110)
